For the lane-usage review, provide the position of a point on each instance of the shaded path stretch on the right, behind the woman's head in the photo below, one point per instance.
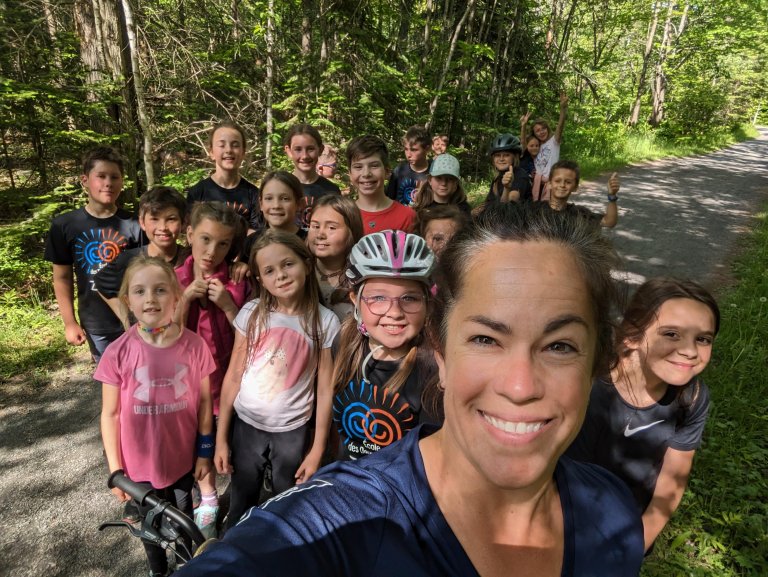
(683, 216)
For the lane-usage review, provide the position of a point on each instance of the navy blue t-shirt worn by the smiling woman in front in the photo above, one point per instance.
(377, 516)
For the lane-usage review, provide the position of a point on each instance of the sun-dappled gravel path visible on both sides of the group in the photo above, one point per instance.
(680, 216)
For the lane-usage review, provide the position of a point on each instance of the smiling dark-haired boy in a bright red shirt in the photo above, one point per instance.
(368, 161)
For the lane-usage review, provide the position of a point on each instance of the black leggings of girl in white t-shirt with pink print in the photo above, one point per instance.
(252, 450)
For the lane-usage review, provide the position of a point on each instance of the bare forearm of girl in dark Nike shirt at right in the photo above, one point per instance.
(668, 493)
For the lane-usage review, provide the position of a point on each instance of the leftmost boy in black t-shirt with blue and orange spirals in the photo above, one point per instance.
(87, 239)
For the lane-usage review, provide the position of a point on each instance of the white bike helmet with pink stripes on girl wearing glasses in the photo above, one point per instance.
(390, 254)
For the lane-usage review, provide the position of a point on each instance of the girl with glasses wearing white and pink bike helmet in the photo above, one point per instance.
(382, 364)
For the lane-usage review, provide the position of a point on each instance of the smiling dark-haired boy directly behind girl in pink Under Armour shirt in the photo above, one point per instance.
(161, 217)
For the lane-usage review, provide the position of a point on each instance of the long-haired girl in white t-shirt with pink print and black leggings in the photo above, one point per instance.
(282, 353)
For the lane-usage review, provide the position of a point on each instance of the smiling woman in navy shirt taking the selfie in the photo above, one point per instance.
(525, 328)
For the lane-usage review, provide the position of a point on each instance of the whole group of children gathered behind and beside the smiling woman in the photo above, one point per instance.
(293, 326)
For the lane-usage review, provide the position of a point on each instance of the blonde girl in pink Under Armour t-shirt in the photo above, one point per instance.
(156, 416)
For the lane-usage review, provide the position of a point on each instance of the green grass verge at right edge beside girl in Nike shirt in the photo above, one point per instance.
(721, 527)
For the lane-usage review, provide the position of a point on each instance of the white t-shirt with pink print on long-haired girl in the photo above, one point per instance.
(276, 391)
